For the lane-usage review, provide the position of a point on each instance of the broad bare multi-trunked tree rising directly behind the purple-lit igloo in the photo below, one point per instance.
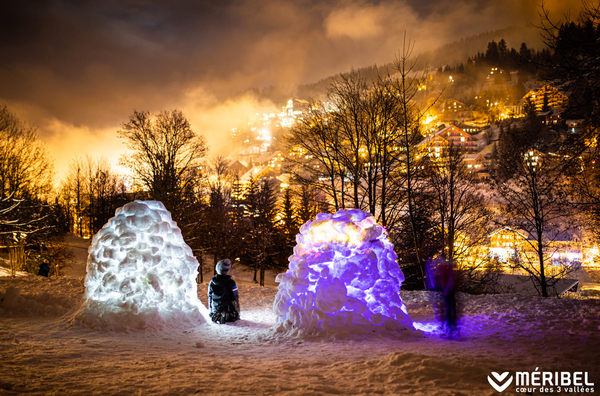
(345, 145)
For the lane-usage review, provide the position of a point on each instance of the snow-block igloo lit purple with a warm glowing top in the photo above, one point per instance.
(342, 277)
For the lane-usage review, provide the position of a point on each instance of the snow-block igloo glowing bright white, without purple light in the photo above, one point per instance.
(140, 273)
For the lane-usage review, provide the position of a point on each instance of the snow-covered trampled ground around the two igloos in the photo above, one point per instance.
(41, 354)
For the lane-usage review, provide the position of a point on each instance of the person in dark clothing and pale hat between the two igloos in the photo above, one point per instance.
(223, 299)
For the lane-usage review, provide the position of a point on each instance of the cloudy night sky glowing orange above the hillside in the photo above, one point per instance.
(77, 69)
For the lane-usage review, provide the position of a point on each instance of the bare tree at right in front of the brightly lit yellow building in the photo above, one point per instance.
(535, 194)
